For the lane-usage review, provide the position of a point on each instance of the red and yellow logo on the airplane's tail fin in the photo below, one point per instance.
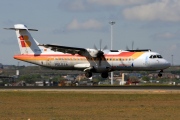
(25, 41)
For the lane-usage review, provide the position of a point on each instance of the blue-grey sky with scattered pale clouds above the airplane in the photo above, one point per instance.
(149, 24)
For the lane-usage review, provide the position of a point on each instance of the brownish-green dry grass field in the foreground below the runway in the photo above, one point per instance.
(51, 105)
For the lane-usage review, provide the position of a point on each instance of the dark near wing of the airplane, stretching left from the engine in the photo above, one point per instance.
(66, 49)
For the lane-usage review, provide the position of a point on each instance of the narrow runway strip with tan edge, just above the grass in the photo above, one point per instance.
(124, 89)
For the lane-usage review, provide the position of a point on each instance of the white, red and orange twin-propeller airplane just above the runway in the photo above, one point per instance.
(85, 59)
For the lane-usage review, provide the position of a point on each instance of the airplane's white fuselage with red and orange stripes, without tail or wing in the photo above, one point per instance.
(112, 61)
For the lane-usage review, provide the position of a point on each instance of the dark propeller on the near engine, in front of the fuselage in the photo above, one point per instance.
(100, 52)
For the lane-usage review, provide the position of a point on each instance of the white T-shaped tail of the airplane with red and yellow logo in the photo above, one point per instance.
(27, 44)
